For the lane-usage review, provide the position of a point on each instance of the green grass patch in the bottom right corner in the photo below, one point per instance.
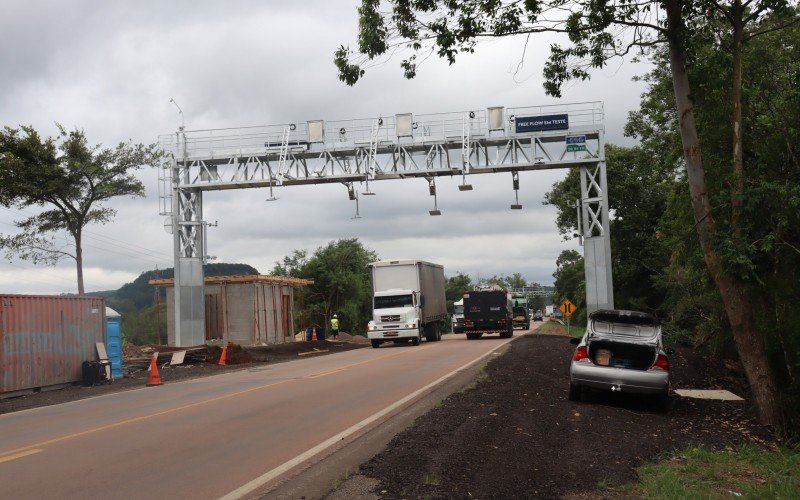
(750, 472)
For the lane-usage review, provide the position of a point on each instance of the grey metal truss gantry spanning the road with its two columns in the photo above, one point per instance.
(377, 149)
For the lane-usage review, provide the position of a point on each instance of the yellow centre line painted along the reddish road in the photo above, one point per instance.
(27, 450)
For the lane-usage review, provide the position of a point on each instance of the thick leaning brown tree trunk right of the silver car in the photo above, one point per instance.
(734, 295)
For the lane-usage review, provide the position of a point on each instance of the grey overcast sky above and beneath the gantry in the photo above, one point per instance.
(110, 68)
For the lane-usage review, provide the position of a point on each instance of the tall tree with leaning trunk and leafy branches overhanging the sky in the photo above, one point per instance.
(597, 32)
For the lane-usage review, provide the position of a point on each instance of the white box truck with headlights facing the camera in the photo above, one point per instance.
(408, 301)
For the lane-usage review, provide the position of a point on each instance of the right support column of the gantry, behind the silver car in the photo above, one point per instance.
(596, 236)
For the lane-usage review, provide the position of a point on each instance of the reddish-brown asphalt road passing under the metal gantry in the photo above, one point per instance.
(228, 435)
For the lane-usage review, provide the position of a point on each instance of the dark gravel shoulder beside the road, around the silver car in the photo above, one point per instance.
(515, 435)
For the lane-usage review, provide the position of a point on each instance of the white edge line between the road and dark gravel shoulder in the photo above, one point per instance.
(277, 471)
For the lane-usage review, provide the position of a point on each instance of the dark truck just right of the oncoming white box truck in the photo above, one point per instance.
(487, 312)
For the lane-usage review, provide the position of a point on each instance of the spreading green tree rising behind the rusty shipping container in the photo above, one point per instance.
(69, 177)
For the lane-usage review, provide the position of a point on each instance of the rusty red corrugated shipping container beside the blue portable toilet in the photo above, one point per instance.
(44, 339)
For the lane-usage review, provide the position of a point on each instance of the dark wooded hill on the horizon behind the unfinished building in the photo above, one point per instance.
(138, 294)
